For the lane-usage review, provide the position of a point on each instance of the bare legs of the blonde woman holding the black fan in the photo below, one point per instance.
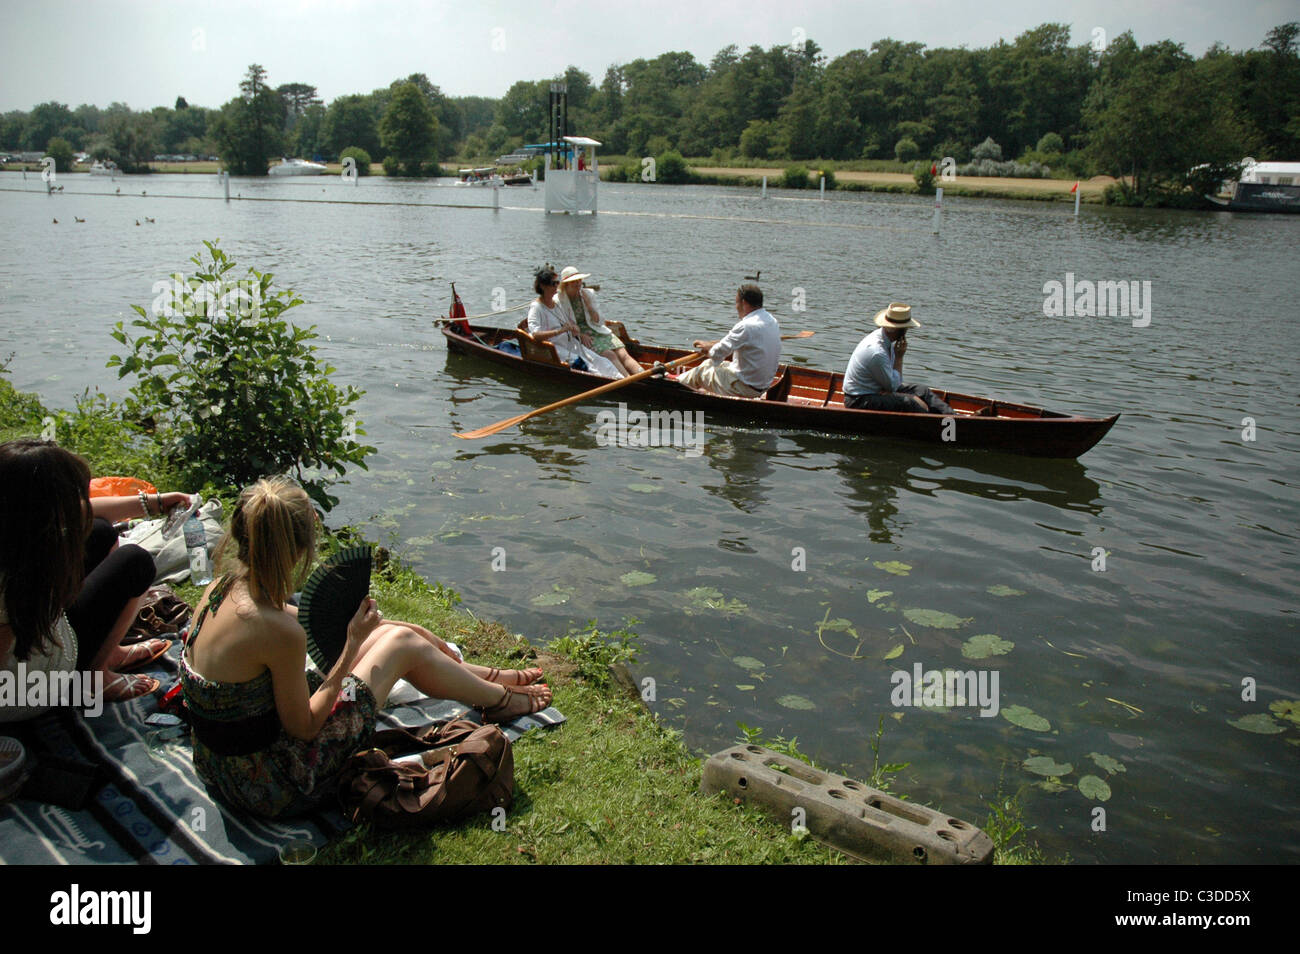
(401, 653)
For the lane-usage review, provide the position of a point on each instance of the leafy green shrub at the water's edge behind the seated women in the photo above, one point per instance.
(235, 392)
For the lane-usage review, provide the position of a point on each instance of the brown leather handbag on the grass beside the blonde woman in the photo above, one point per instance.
(463, 770)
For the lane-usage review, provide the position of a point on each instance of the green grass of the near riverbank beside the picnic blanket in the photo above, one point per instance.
(612, 786)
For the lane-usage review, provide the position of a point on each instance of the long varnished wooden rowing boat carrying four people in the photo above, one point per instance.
(804, 400)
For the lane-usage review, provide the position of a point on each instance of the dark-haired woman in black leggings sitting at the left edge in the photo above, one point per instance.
(68, 593)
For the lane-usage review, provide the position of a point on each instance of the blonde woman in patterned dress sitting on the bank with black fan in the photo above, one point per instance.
(271, 738)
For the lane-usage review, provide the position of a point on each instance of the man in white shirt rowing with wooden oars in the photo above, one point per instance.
(753, 345)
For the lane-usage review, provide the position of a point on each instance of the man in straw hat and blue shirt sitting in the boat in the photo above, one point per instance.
(874, 378)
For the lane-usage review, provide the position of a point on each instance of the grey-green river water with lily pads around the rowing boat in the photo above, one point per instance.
(1143, 599)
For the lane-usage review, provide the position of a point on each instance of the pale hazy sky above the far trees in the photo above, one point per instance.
(146, 54)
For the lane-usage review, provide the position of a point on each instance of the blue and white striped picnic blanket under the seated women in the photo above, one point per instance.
(154, 810)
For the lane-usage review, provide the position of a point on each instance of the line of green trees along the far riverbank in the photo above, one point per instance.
(1149, 114)
